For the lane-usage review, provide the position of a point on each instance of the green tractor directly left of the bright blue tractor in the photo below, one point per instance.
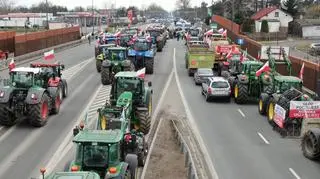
(117, 61)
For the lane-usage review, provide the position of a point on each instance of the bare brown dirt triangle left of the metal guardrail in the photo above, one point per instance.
(166, 160)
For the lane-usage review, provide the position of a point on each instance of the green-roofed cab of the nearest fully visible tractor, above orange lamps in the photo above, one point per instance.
(98, 151)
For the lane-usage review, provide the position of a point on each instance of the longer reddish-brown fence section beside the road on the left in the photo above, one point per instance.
(31, 42)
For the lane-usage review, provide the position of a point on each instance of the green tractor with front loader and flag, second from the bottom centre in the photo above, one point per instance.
(130, 87)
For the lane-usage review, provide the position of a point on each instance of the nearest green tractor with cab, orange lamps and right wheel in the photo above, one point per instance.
(100, 151)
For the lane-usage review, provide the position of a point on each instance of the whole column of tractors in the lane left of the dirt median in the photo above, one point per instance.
(116, 146)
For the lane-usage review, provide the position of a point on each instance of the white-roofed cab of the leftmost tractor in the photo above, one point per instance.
(25, 77)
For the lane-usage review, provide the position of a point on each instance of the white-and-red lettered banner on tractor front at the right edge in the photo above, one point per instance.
(304, 109)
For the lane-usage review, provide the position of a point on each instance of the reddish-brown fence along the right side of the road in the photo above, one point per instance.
(311, 70)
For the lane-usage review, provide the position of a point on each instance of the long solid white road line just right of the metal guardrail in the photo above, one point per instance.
(194, 125)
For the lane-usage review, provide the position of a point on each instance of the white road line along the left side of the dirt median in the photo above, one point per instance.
(144, 171)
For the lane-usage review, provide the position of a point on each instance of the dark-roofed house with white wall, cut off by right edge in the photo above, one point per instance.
(305, 28)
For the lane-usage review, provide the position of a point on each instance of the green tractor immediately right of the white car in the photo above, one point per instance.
(247, 85)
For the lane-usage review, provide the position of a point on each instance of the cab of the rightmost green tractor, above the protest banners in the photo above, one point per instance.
(284, 83)
